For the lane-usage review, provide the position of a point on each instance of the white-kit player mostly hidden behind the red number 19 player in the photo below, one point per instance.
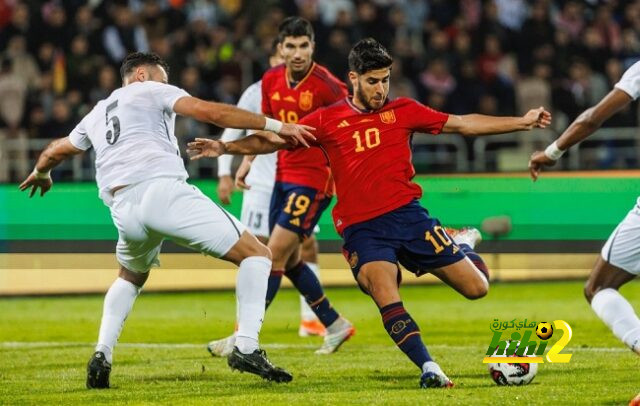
(256, 176)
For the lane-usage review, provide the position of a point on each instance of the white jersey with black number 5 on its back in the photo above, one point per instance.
(132, 132)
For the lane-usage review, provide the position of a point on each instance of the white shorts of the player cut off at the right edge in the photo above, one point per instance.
(622, 249)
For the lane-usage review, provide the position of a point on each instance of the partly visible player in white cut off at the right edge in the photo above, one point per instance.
(619, 261)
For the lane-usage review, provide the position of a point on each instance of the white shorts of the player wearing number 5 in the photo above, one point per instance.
(148, 212)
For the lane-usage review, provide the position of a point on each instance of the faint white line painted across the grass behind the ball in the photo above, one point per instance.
(49, 344)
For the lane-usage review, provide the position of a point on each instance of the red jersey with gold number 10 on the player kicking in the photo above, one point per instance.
(370, 155)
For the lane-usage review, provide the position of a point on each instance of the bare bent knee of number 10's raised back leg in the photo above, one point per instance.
(464, 277)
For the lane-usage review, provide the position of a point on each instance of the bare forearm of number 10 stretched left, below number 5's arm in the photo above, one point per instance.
(262, 142)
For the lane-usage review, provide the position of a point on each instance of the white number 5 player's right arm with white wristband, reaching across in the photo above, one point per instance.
(228, 116)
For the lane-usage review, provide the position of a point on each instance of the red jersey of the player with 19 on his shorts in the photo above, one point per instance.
(319, 88)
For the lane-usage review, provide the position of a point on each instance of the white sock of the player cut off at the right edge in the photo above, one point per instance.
(618, 315)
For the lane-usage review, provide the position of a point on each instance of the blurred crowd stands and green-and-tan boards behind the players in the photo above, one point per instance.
(494, 57)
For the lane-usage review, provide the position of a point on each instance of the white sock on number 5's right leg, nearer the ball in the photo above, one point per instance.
(251, 291)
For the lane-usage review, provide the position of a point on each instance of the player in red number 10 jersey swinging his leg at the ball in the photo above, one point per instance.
(367, 139)
